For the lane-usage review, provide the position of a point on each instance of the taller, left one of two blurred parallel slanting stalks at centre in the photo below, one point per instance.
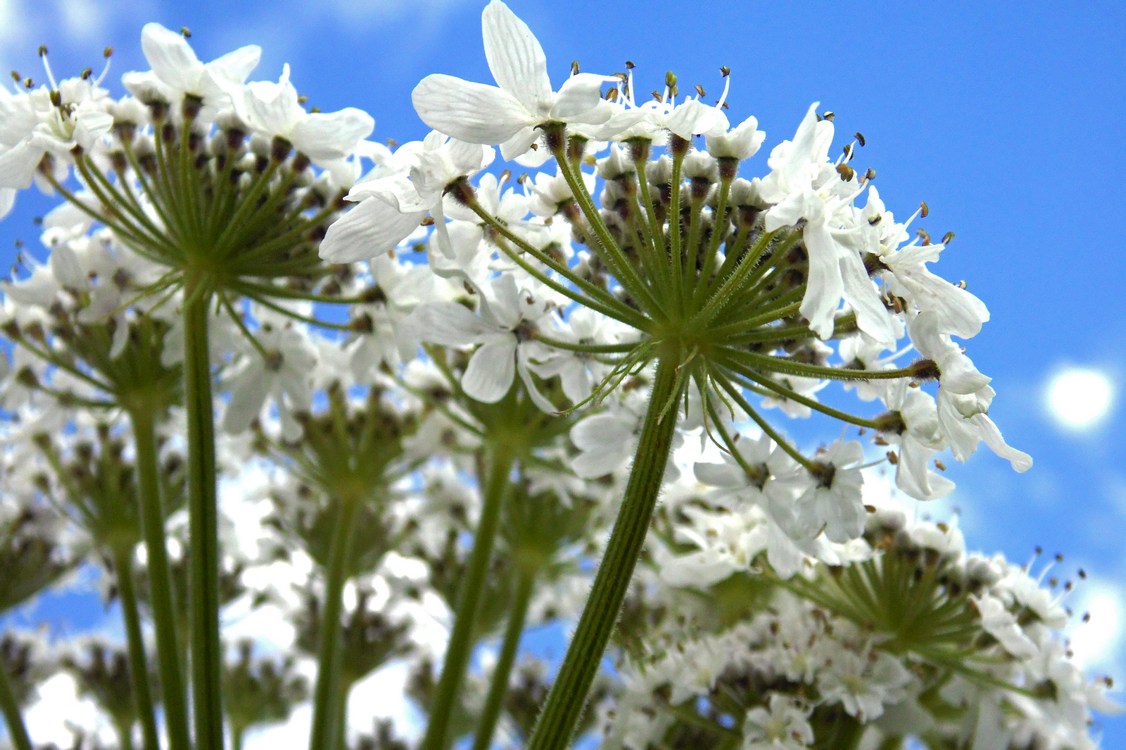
(461, 640)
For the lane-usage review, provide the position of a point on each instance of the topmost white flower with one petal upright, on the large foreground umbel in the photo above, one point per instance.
(508, 114)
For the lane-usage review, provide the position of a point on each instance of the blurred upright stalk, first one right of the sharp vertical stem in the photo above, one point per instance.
(329, 659)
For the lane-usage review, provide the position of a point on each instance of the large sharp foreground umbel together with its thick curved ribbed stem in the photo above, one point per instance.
(734, 288)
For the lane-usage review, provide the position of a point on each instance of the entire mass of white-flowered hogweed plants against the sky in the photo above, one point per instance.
(524, 368)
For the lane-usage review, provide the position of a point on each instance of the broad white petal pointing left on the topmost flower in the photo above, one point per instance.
(469, 112)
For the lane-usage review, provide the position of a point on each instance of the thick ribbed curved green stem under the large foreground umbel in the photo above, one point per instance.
(568, 697)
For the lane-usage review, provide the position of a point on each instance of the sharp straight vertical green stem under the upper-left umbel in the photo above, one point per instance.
(203, 521)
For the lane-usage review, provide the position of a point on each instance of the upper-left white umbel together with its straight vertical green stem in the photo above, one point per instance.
(211, 182)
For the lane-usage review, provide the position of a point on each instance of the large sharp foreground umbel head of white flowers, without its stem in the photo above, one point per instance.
(755, 289)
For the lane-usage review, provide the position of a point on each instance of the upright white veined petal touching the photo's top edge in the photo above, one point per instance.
(515, 57)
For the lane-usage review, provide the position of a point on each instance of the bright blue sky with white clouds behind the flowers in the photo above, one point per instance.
(1007, 119)
